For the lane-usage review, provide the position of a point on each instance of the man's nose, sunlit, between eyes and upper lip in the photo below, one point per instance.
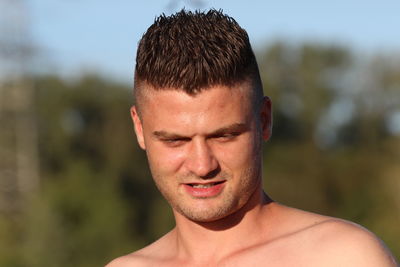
(201, 160)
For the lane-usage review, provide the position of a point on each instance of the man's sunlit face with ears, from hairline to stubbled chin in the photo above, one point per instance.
(204, 151)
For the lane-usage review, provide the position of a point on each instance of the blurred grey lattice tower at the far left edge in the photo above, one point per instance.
(19, 172)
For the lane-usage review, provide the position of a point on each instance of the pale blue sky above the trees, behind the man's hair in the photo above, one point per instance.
(81, 35)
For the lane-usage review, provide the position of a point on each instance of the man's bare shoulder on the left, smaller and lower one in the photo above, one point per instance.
(150, 255)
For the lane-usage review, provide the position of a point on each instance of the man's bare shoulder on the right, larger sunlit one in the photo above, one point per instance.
(330, 240)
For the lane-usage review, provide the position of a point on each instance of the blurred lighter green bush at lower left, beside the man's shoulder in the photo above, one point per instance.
(78, 220)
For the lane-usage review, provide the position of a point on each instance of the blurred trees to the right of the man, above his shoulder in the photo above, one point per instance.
(329, 152)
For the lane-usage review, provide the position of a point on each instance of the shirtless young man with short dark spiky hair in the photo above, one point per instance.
(201, 117)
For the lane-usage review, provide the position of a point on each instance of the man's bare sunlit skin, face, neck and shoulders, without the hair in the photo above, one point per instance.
(213, 140)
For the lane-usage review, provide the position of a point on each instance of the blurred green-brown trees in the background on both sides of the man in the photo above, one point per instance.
(97, 199)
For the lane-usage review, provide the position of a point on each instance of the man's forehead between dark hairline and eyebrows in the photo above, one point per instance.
(207, 109)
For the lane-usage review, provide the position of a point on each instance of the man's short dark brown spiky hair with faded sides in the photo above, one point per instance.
(193, 51)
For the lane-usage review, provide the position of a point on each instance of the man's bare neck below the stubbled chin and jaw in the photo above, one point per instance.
(218, 239)
